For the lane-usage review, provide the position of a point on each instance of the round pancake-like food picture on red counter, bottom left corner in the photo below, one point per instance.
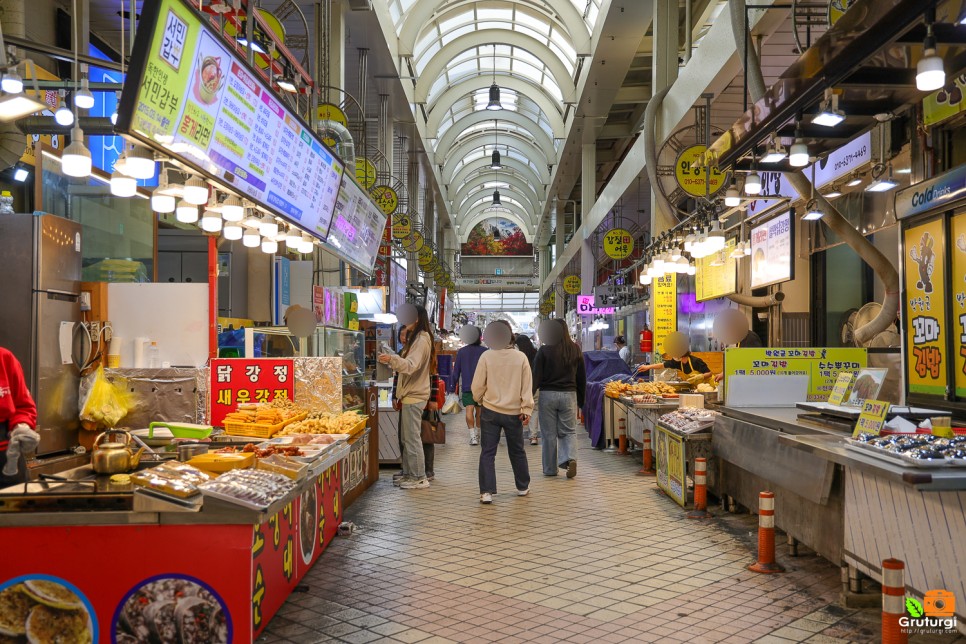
(40, 610)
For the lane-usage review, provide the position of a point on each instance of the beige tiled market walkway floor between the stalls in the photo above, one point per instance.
(602, 558)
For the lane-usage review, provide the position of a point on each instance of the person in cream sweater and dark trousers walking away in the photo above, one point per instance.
(503, 386)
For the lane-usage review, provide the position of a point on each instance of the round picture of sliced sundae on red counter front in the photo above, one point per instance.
(172, 609)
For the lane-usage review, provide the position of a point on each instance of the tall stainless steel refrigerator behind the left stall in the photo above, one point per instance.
(40, 265)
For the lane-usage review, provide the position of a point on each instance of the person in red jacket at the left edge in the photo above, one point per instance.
(18, 418)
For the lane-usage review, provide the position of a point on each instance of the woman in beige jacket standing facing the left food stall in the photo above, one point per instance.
(413, 365)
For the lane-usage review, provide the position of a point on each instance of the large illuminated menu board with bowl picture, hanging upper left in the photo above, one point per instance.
(191, 95)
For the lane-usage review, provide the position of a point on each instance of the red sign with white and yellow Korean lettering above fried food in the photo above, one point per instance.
(237, 381)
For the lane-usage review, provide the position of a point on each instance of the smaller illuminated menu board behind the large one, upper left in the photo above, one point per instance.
(357, 226)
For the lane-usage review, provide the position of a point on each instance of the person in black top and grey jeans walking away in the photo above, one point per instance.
(559, 375)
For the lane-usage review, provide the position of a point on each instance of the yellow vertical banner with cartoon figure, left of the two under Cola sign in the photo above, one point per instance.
(925, 308)
